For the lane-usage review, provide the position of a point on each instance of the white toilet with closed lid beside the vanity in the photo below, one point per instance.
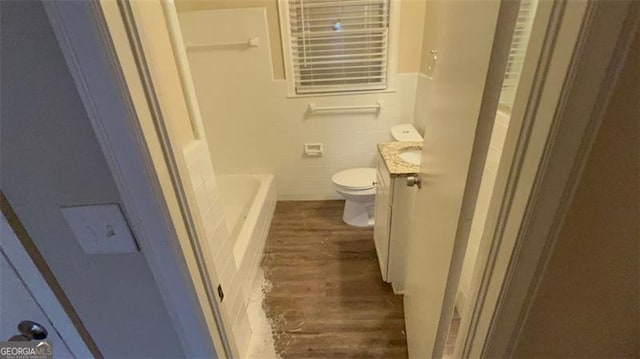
(358, 185)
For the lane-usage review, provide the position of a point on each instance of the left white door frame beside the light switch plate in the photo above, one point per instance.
(140, 162)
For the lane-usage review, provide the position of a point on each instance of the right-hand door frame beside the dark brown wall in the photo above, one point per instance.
(550, 139)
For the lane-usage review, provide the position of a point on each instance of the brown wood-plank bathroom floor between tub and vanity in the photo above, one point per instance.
(327, 298)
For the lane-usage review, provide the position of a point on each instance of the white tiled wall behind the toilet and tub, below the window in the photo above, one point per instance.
(252, 126)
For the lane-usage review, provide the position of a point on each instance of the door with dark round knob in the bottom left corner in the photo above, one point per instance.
(26, 298)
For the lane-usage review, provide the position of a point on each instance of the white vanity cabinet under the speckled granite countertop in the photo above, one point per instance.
(394, 205)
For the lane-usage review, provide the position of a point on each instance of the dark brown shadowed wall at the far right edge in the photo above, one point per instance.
(587, 304)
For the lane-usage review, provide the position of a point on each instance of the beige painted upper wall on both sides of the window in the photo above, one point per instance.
(410, 37)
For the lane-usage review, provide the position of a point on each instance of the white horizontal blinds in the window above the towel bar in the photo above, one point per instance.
(339, 45)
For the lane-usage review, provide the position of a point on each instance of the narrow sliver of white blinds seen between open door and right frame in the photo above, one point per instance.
(518, 50)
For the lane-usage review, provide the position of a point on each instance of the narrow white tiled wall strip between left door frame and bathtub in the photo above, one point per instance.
(210, 213)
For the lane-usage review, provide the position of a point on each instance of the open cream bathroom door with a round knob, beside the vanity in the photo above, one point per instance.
(462, 33)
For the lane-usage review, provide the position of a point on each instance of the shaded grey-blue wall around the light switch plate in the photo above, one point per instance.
(50, 157)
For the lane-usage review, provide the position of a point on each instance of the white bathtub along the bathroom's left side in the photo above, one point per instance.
(249, 202)
